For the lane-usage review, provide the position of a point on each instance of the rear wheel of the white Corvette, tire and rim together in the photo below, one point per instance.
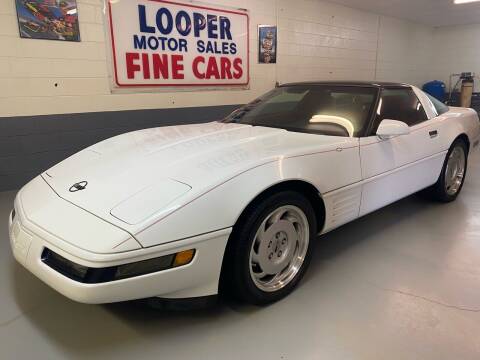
(457, 158)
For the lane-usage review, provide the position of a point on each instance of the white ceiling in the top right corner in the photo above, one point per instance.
(430, 12)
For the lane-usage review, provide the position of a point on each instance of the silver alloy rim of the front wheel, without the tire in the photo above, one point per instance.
(279, 248)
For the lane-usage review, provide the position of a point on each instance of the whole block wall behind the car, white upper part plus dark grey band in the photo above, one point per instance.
(55, 96)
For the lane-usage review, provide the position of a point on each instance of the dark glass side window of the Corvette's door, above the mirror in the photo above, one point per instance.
(400, 104)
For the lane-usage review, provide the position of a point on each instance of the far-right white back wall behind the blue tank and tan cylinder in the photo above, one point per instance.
(457, 49)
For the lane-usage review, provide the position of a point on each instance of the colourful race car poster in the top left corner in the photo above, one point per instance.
(48, 19)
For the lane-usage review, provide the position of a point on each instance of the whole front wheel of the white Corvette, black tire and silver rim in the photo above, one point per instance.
(275, 232)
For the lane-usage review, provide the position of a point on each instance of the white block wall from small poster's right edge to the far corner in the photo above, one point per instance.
(321, 40)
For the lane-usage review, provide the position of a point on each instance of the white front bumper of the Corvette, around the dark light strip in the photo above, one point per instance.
(198, 278)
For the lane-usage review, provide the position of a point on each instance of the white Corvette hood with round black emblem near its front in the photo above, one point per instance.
(134, 178)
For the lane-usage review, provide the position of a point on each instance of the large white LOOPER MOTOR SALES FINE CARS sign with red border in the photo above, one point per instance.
(159, 43)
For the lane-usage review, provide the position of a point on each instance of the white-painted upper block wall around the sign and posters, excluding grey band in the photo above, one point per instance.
(317, 40)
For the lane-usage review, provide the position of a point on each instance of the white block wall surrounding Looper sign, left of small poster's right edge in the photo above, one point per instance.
(42, 77)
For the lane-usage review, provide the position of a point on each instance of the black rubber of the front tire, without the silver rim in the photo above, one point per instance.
(243, 236)
